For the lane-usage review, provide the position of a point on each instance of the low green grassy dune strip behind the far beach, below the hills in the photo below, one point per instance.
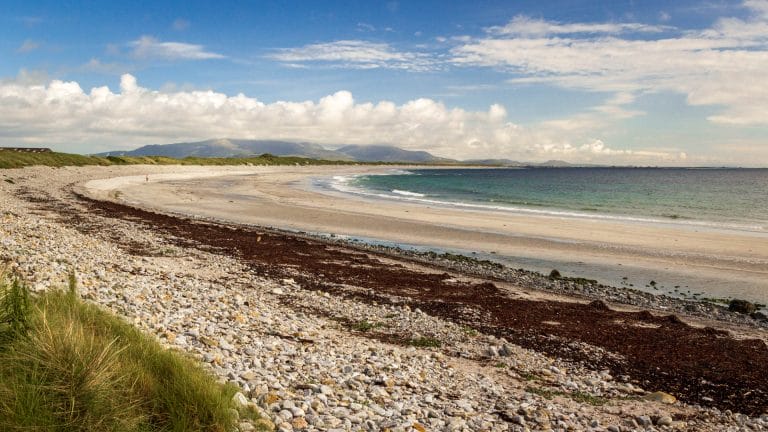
(15, 159)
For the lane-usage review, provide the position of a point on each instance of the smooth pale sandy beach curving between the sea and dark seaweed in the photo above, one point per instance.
(680, 259)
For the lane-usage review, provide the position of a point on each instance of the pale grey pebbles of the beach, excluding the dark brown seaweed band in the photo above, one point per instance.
(314, 355)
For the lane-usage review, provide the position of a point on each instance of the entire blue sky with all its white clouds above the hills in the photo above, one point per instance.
(681, 83)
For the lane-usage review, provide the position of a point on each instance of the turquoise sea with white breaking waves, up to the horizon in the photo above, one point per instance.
(720, 198)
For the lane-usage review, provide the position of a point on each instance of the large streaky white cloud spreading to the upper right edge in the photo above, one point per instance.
(723, 66)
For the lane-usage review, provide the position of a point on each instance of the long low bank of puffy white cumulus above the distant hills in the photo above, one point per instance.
(63, 114)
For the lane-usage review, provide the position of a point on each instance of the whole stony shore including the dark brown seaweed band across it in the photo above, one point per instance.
(274, 298)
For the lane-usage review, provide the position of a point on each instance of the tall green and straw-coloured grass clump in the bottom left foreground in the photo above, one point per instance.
(66, 365)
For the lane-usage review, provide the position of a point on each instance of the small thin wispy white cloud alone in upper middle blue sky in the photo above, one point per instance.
(356, 54)
